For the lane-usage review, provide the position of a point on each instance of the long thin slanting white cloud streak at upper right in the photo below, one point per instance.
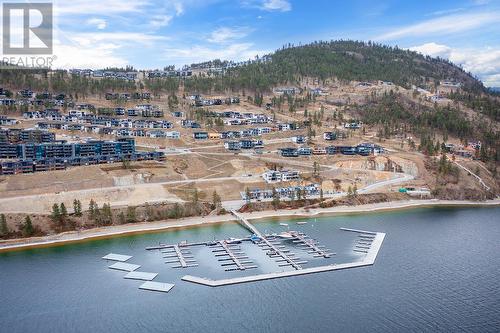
(443, 25)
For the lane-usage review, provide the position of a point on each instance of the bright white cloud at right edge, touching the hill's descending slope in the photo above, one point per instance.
(482, 62)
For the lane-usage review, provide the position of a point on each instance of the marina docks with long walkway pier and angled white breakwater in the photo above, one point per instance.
(230, 256)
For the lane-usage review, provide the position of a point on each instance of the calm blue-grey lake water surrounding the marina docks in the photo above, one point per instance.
(437, 270)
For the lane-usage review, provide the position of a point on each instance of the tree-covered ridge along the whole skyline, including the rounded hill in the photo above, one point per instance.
(341, 60)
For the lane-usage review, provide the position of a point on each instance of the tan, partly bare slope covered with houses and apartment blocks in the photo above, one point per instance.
(335, 157)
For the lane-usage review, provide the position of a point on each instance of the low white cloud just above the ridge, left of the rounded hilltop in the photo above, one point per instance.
(236, 52)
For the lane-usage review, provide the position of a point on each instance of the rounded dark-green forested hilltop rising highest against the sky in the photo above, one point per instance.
(348, 61)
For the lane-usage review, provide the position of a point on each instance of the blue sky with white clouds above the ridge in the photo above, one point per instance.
(150, 34)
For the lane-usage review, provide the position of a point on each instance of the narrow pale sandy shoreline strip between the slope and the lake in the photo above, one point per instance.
(161, 226)
